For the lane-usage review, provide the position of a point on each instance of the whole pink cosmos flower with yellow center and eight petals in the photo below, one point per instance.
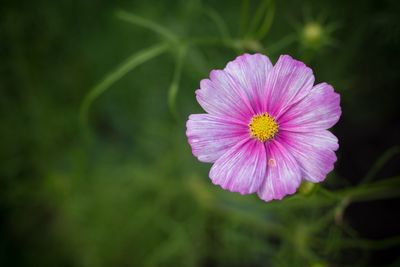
(265, 128)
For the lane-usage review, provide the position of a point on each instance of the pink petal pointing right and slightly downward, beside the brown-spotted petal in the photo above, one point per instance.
(314, 151)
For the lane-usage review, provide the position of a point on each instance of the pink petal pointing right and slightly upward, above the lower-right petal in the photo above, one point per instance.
(320, 110)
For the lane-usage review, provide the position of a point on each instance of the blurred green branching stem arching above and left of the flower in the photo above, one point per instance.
(248, 40)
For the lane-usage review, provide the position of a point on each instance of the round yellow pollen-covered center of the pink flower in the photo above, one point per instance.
(263, 127)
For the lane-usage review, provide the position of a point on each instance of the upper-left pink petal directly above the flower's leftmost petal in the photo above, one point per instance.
(221, 95)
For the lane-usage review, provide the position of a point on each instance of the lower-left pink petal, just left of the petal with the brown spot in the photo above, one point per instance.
(242, 168)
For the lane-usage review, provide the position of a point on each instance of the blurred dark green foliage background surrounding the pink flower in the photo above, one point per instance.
(95, 166)
